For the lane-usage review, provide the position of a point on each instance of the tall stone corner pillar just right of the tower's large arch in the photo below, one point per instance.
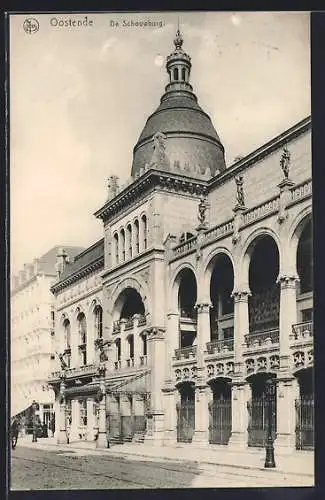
(155, 418)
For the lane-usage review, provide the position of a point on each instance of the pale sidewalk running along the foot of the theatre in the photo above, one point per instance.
(299, 463)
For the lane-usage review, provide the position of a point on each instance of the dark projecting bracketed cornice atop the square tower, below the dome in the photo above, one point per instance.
(152, 178)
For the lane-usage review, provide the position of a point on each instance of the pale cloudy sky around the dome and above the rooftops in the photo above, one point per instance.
(80, 96)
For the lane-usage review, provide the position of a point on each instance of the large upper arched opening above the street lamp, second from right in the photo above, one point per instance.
(264, 303)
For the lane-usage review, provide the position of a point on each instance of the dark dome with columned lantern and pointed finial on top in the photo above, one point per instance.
(190, 144)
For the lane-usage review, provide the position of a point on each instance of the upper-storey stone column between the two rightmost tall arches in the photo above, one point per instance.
(288, 316)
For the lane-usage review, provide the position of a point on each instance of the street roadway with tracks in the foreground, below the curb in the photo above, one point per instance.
(65, 467)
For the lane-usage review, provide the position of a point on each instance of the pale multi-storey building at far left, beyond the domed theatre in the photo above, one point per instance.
(33, 337)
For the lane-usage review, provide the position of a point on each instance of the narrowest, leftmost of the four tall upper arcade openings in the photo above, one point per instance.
(187, 296)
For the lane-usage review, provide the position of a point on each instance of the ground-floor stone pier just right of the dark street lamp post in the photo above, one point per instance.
(287, 393)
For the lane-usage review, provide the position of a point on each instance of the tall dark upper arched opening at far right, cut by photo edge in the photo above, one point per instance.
(305, 273)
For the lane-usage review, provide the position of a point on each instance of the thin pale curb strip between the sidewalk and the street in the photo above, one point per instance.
(178, 460)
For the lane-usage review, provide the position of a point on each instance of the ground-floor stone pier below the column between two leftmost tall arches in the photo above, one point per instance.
(202, 398)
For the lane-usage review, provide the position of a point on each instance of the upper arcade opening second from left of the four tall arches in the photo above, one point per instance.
(222, 310)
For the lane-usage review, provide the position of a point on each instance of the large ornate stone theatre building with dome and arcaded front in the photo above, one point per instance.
(194, 313)
